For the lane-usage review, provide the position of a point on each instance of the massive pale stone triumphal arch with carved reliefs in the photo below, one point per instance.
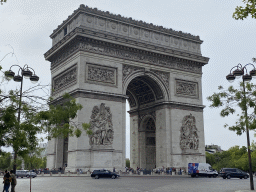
(103, 59)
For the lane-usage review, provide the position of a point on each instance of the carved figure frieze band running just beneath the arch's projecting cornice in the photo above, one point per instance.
(125, 53)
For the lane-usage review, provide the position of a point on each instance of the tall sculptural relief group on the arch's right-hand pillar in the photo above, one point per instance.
(188, 134)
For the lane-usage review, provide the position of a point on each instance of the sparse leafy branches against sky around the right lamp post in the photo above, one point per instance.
(232, 98)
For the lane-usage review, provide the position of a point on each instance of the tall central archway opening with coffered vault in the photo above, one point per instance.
(143, 93)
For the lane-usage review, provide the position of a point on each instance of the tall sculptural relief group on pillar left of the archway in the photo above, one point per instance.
(101, 126)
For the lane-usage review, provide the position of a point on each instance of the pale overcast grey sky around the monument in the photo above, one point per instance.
(25, 27)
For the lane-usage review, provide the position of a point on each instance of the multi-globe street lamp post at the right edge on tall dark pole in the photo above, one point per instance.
(238, 72)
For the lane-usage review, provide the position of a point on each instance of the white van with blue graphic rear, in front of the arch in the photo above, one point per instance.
(201, 169)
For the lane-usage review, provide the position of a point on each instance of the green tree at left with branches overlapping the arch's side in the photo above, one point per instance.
(56, 120)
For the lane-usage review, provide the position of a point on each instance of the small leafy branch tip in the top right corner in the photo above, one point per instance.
(243, 12)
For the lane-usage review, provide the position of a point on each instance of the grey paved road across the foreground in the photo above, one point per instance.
(133, 184)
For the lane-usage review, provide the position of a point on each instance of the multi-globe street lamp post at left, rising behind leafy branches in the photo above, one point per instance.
(27, 73)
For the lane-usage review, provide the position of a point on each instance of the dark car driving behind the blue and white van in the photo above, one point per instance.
(233, 173)
